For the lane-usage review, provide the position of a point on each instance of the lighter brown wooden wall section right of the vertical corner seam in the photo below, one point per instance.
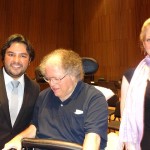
(108, 31)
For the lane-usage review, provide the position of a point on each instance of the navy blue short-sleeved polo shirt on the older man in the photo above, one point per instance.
(84, 112)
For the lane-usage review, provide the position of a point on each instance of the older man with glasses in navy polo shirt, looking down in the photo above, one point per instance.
(70, 110)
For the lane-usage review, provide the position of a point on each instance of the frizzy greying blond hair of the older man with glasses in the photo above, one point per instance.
(70, 61)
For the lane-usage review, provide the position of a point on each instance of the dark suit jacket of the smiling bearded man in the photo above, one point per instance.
(31, 92)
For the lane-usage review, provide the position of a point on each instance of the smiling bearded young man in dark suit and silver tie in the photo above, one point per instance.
(16, 53)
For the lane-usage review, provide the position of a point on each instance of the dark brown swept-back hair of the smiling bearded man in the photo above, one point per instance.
(19, 39)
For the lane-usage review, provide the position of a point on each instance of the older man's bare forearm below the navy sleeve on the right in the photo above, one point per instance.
(91, 141)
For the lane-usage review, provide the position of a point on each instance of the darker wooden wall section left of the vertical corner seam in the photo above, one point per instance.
(47, 23)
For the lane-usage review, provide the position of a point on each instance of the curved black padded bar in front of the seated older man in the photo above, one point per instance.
(49, 144)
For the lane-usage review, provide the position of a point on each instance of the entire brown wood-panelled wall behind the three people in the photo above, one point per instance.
(107, 30)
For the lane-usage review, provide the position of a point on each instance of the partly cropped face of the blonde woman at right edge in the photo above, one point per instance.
(146, 42)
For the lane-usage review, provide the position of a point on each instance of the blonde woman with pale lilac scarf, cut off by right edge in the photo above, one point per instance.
(135, 100)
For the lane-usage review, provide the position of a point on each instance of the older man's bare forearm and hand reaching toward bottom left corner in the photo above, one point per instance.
(16, 141)
